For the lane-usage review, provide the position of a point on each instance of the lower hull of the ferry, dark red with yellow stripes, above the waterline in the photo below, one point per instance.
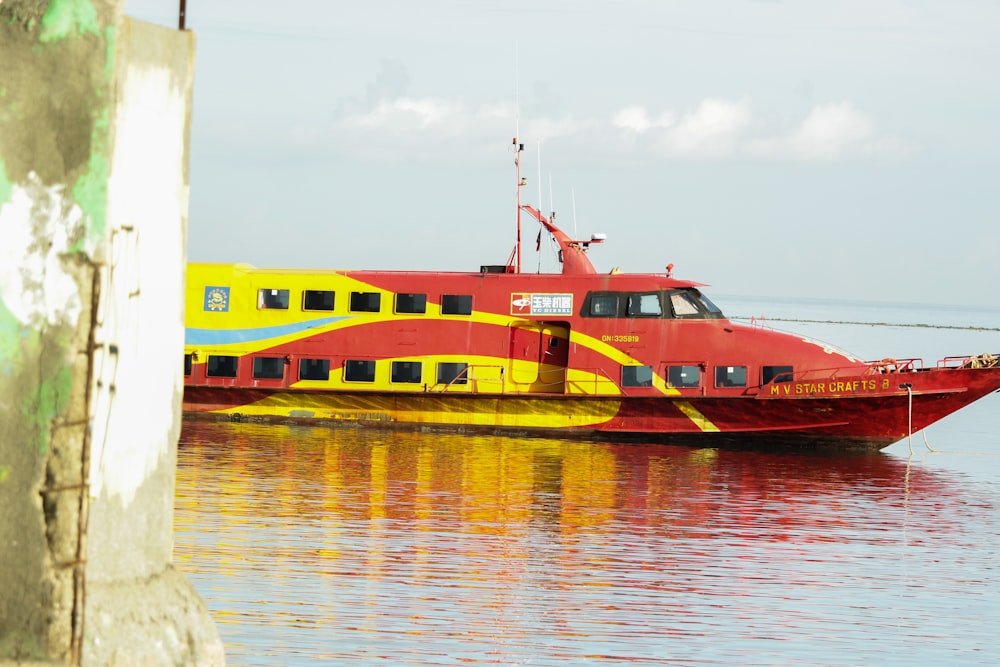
(757, 419)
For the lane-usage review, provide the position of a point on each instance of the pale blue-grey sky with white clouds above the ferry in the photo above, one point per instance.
(798, 148)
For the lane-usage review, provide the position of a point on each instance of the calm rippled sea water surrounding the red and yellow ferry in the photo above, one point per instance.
(362, 547)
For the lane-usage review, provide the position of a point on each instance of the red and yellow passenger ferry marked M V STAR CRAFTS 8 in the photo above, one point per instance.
(574, 354)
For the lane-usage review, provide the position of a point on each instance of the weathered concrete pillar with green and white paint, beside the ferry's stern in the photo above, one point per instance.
(94, 127)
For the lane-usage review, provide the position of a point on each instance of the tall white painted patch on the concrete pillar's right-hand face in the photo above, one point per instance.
(136, 417)
